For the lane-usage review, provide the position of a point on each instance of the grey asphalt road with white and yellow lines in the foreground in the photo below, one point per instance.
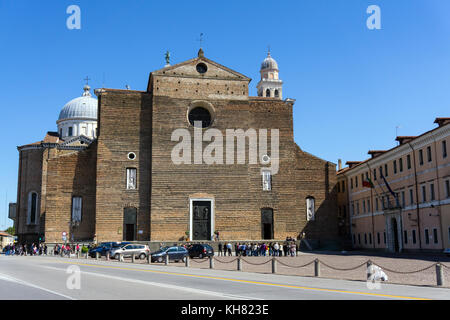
(50, 278)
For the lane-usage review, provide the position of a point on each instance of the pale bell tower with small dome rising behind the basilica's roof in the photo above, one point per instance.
(270, 85)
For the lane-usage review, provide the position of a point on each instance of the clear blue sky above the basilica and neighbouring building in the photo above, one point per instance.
(352, 85)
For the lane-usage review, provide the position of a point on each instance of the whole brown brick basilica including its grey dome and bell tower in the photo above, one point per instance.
(118, 166)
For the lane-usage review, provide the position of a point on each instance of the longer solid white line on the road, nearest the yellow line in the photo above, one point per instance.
(162, 285)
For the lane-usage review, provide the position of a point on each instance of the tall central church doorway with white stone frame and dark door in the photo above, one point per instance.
(201, 219)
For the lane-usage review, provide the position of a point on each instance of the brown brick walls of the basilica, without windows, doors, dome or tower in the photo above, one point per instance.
(142, 122)
